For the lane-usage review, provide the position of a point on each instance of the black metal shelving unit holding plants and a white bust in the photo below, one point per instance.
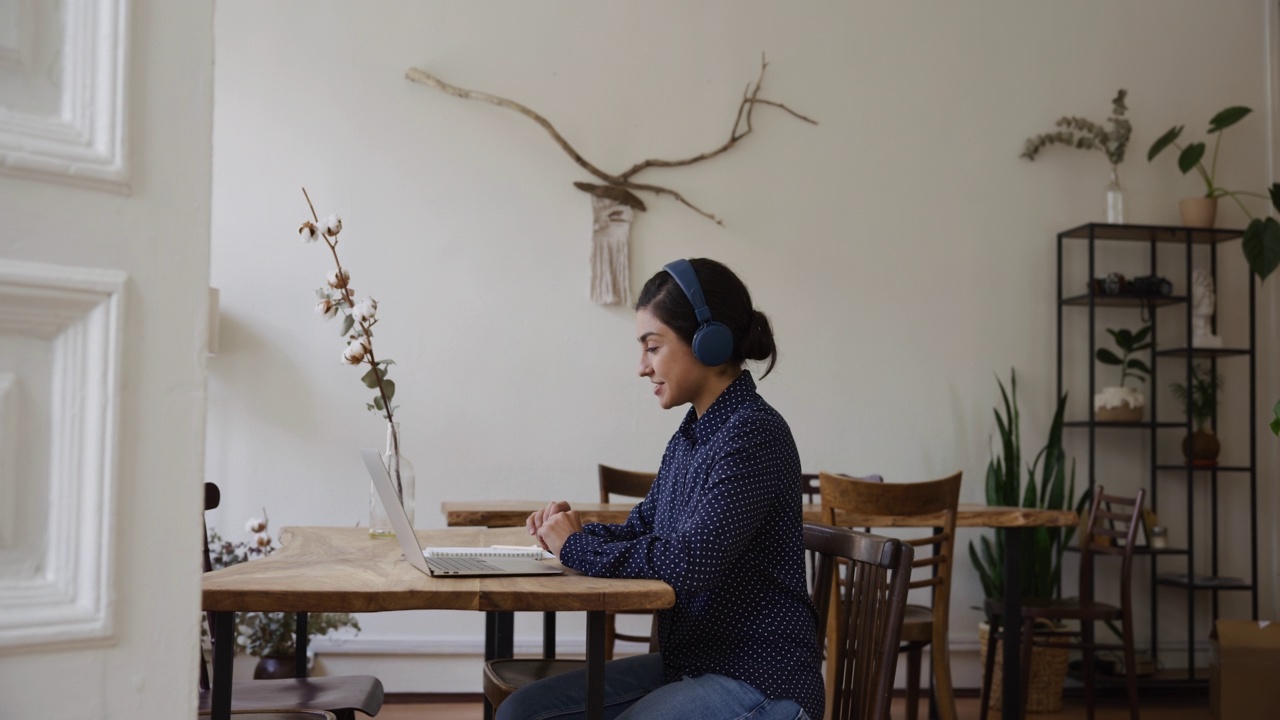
(1187, 580)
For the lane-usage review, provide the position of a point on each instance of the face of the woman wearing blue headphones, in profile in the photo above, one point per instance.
(670, 364)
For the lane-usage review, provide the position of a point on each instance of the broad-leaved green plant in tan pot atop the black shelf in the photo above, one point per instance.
(1261, 243)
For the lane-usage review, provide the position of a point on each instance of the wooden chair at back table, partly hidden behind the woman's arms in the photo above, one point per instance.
(508, 676)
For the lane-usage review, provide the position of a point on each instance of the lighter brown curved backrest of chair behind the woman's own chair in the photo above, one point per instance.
(935, 502)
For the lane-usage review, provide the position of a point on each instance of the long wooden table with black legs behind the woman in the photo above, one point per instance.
(1014, 522)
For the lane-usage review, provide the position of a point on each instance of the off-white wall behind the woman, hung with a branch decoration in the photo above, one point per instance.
(902, 248)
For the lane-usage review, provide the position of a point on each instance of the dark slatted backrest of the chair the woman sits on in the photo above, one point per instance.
(872, 603)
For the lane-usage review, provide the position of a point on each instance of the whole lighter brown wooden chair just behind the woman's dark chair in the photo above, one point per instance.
(936, 502)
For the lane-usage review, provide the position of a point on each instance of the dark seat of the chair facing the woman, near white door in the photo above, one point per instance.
(345, 692)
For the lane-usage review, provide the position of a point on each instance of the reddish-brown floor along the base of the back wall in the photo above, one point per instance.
(1156, 709)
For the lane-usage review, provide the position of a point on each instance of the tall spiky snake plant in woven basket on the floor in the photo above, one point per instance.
(1050, 487)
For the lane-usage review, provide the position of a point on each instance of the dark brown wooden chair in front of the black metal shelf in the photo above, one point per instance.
(1112, 530)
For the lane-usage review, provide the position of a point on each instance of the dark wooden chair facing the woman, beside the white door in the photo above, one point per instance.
(342, 695)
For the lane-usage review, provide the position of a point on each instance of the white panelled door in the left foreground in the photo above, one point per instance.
(158, 235)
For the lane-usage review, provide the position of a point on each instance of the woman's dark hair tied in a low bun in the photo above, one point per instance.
(729, 302)
